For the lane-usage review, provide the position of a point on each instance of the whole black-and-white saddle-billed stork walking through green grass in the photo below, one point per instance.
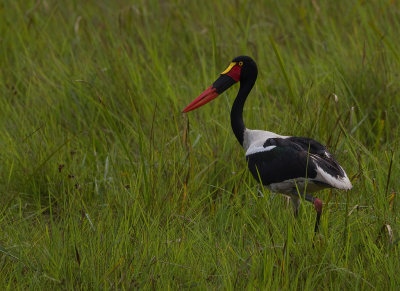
(285, 164)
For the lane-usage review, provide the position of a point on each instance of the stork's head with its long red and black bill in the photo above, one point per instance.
(241, 68)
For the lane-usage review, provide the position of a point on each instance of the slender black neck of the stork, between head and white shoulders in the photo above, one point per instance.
(237, 123)
